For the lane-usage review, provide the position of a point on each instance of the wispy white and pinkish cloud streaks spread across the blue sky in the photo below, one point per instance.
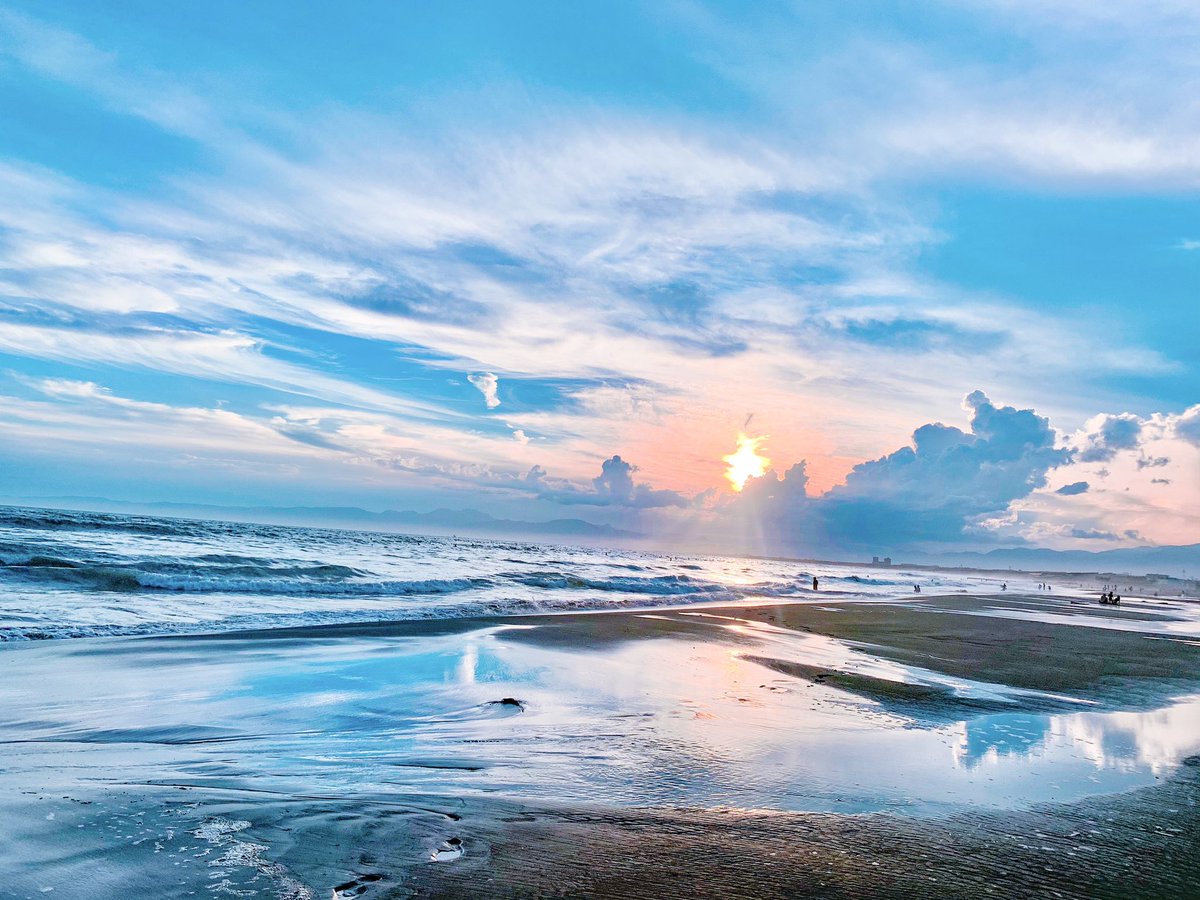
(670, 272)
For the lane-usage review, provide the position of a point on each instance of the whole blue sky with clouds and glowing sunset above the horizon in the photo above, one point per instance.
(934, 266)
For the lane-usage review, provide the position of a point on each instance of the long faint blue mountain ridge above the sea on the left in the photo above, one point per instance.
(440, 521)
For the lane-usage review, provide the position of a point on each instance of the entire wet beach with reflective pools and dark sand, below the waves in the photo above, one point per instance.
(945, 746)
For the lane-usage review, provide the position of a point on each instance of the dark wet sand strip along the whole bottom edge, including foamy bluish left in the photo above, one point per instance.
(1141, 844)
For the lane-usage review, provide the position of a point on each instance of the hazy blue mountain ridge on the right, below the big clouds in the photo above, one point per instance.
(1136, 561)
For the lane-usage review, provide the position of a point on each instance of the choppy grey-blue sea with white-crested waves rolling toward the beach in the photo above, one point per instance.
(88, 574)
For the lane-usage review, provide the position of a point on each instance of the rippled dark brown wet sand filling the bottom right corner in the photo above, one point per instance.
(1145, 844)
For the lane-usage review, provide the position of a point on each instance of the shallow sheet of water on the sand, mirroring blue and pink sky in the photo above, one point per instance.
(663, 722)
